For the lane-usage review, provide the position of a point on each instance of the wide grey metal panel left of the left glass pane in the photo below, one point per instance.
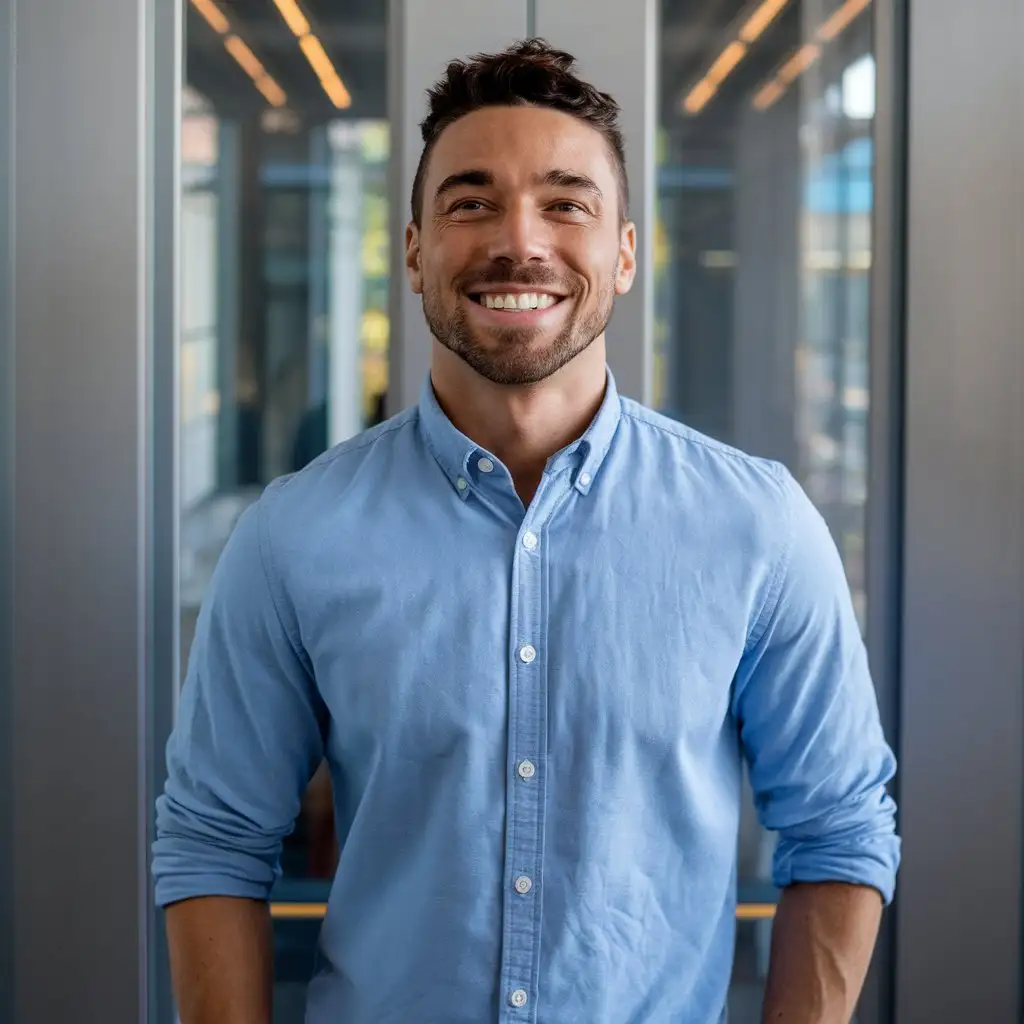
(80, 268)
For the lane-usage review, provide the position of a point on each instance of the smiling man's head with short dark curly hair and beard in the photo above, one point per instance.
(521, 200)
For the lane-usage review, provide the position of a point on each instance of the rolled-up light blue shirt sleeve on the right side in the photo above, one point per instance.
(809, 721)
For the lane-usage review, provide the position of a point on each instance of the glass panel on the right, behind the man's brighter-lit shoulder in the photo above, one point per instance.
(763, 252)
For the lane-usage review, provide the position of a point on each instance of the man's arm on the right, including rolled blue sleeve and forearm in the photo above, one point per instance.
(820, 765)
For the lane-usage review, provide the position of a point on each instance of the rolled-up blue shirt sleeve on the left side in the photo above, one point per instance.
(248, 736)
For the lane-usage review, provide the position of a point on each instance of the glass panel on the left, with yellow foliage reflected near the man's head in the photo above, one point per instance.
(284, 304)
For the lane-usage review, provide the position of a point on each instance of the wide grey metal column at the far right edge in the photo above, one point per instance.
(962, 780)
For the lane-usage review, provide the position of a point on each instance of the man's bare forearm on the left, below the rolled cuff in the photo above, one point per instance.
(222, 960)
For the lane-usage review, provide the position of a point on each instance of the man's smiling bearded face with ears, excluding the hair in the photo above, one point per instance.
(522, 248)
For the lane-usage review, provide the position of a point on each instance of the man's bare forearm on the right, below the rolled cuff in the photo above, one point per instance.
(822, 946)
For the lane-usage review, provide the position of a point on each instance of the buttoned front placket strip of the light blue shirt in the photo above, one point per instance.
(528, 762)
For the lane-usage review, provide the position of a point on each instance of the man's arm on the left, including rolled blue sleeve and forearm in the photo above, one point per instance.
(248, 738)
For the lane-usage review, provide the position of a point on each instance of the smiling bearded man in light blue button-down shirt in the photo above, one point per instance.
(536, 630)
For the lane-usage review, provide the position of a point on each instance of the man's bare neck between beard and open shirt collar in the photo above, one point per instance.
(523, 426)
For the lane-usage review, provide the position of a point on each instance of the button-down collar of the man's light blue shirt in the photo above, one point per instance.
(455, 452)
